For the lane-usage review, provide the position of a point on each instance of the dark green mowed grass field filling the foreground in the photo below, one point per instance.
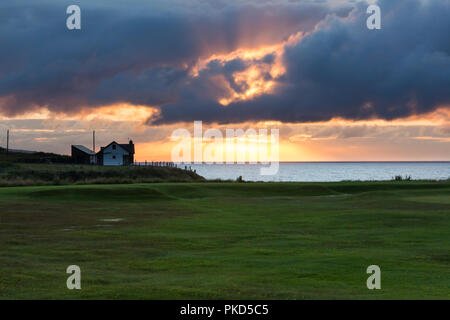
(226, 240)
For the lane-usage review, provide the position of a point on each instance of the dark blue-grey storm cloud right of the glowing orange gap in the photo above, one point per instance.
(342, 69)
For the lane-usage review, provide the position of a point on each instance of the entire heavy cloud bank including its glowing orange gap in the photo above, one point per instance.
(183, 58)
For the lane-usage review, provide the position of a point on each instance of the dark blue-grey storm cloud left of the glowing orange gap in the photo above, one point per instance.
(139, 52)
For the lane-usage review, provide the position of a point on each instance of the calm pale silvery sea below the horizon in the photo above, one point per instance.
(327, 171)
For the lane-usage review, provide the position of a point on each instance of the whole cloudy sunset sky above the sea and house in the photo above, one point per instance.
(139, 70)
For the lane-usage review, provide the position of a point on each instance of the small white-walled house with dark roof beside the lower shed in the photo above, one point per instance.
(115, 154)
